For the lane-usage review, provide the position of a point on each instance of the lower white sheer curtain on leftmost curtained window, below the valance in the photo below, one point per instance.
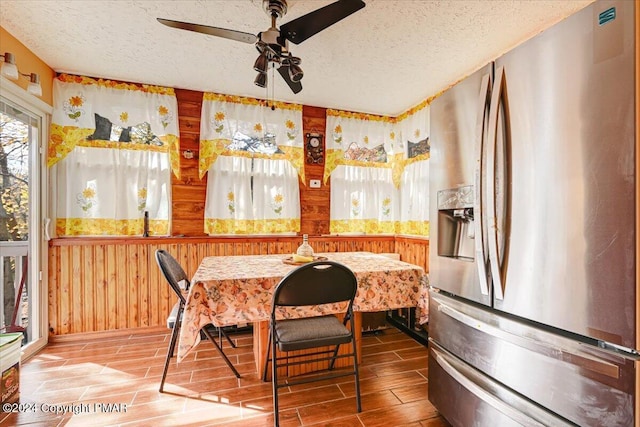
(108, 191)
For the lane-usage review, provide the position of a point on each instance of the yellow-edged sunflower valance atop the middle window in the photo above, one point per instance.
(236, 126)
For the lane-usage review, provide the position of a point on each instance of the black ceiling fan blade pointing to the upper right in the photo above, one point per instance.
(312, 23)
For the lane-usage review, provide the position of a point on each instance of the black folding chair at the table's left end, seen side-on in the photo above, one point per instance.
(175, 274)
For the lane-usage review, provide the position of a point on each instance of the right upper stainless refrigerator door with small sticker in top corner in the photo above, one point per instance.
(562, 197)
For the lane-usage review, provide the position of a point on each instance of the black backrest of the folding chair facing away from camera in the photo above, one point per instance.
(315, 283)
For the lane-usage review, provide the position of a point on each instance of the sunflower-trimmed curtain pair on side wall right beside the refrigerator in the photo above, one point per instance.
(413, 128)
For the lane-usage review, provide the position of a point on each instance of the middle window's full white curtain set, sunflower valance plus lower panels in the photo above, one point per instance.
(253, 155)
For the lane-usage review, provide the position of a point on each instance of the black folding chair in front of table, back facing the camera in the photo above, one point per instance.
(315, 283)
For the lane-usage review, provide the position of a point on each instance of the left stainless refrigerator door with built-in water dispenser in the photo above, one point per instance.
(458, 128)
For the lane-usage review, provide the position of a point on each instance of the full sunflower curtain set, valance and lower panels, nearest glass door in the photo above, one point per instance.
(111, 150)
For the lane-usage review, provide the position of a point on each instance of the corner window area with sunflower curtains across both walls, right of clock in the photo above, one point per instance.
(379, 172)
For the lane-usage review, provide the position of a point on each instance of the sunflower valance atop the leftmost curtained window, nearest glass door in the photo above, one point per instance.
(101, 113)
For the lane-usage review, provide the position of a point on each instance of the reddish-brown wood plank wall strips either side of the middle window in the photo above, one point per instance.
(189, 191)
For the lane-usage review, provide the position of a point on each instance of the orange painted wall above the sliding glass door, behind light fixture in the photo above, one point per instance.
(28, 62)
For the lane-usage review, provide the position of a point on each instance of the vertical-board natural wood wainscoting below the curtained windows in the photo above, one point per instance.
(113, 284)
